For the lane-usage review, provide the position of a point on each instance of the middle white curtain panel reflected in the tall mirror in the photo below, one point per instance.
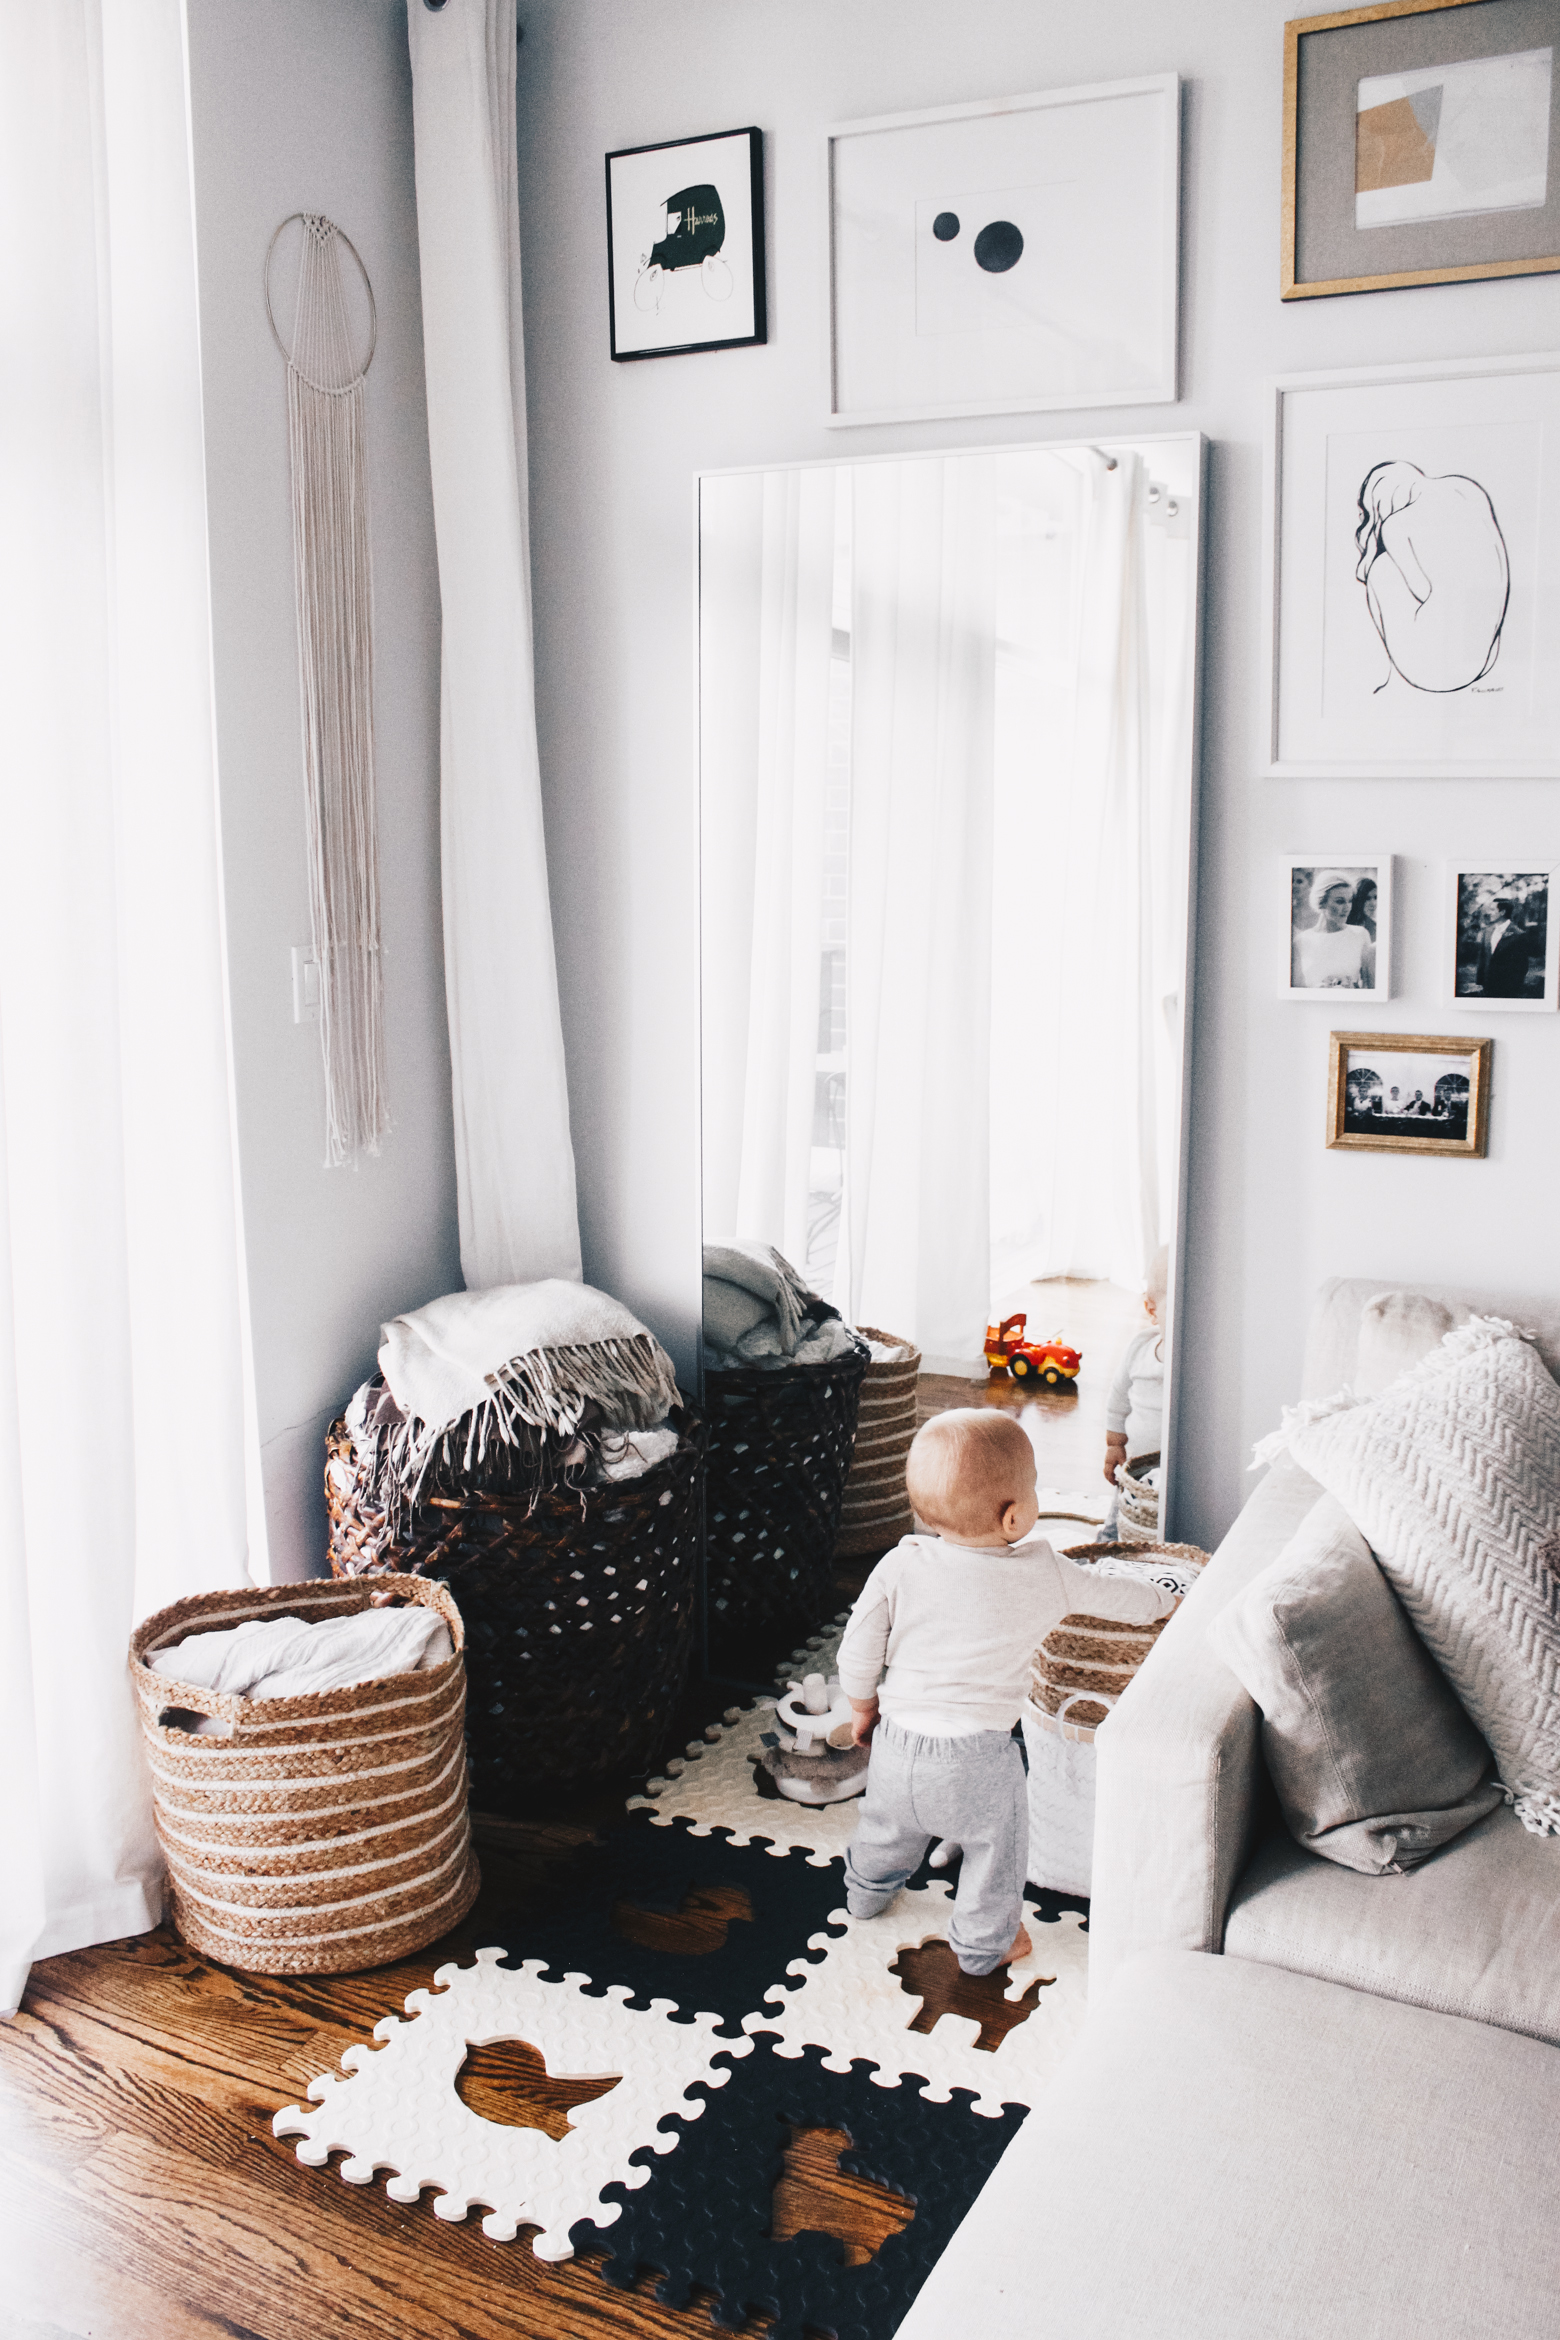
(920, 904)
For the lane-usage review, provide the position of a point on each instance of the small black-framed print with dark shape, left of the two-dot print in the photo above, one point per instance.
(686, 247)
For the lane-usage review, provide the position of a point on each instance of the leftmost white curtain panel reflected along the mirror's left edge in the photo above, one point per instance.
(766, 635)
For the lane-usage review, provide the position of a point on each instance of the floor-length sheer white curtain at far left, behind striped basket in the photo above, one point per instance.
(127, 1454)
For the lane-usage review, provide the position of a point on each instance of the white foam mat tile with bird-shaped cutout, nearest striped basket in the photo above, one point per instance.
(401, 2112)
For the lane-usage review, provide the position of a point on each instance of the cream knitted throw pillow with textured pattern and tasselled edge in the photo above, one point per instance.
(1454, 1478)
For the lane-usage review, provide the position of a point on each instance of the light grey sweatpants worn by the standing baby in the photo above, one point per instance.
(969, 1789)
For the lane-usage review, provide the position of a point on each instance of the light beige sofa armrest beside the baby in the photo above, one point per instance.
(1180, 1761)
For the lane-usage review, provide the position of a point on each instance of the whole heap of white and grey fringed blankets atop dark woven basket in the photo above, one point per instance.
(532, 1375)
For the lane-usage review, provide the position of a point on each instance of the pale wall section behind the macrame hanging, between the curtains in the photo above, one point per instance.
(308, 106)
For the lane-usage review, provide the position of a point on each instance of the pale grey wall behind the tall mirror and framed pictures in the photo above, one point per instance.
(612, 460)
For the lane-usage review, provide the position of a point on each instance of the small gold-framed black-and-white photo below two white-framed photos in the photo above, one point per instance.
(1404, 1094)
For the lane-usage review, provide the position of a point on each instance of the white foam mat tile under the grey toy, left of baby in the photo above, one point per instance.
(712, 1787)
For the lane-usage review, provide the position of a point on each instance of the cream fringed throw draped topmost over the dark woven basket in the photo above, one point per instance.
(455, 1354)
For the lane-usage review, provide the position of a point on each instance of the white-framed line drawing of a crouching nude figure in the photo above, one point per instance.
(1414, 574)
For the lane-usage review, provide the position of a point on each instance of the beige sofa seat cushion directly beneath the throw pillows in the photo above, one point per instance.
(1475, 1932)
